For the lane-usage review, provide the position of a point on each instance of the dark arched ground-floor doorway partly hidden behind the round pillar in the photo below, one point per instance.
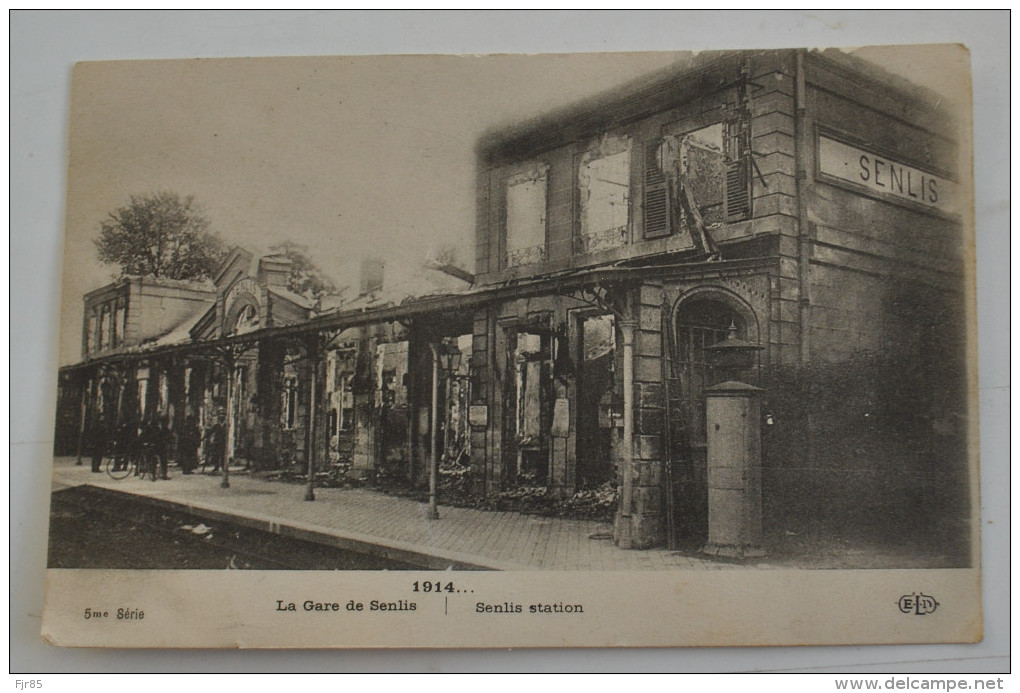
(701, 319)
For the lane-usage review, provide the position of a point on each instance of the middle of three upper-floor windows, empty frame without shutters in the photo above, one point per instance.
(604, 180)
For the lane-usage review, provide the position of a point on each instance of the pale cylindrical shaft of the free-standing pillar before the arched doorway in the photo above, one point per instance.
(735, 471)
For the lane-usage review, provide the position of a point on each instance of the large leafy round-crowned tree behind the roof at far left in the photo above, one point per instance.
(161, 235)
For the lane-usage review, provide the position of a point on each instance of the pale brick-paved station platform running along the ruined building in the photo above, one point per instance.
(372, 522)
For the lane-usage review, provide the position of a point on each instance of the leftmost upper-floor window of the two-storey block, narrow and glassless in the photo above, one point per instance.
(527, 218)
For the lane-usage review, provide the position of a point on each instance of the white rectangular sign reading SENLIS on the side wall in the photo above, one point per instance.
(884, 176)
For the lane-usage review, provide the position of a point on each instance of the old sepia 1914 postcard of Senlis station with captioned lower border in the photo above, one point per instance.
(624, 350)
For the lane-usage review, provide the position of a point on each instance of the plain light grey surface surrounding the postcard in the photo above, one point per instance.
(45, 45)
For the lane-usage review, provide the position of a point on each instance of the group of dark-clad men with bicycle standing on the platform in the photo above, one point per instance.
(155, 437)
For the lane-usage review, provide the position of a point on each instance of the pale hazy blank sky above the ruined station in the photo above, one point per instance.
(351, 157)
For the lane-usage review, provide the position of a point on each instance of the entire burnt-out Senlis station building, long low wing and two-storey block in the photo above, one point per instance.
(732, 294)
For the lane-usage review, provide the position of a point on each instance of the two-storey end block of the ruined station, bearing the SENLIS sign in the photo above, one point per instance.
(800, 203)
